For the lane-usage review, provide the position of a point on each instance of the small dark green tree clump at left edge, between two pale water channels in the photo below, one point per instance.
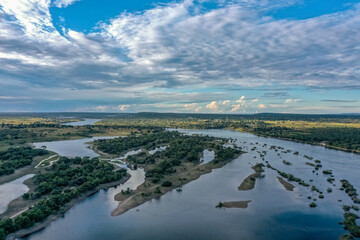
(15, 158)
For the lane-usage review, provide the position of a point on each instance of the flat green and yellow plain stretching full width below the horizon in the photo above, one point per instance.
(336, 131)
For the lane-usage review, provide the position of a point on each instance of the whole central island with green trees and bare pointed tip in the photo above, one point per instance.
(165, 170)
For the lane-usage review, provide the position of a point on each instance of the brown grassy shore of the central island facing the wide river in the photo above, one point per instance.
(147, 191)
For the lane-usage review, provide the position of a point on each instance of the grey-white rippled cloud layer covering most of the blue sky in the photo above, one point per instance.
(176, 46)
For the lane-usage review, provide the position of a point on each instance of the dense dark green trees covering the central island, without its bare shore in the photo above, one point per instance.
(180, 149)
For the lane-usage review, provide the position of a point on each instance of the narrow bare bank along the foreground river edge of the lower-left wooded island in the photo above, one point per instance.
(37, 227)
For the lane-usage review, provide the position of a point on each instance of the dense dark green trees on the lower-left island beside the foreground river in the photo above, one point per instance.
(59, 184)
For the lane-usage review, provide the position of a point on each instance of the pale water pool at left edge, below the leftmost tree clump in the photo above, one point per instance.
(12, 190)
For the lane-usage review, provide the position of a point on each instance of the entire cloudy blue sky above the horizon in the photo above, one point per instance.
(191, 56)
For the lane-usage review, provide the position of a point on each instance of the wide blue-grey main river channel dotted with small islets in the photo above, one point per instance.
(274, 213)
